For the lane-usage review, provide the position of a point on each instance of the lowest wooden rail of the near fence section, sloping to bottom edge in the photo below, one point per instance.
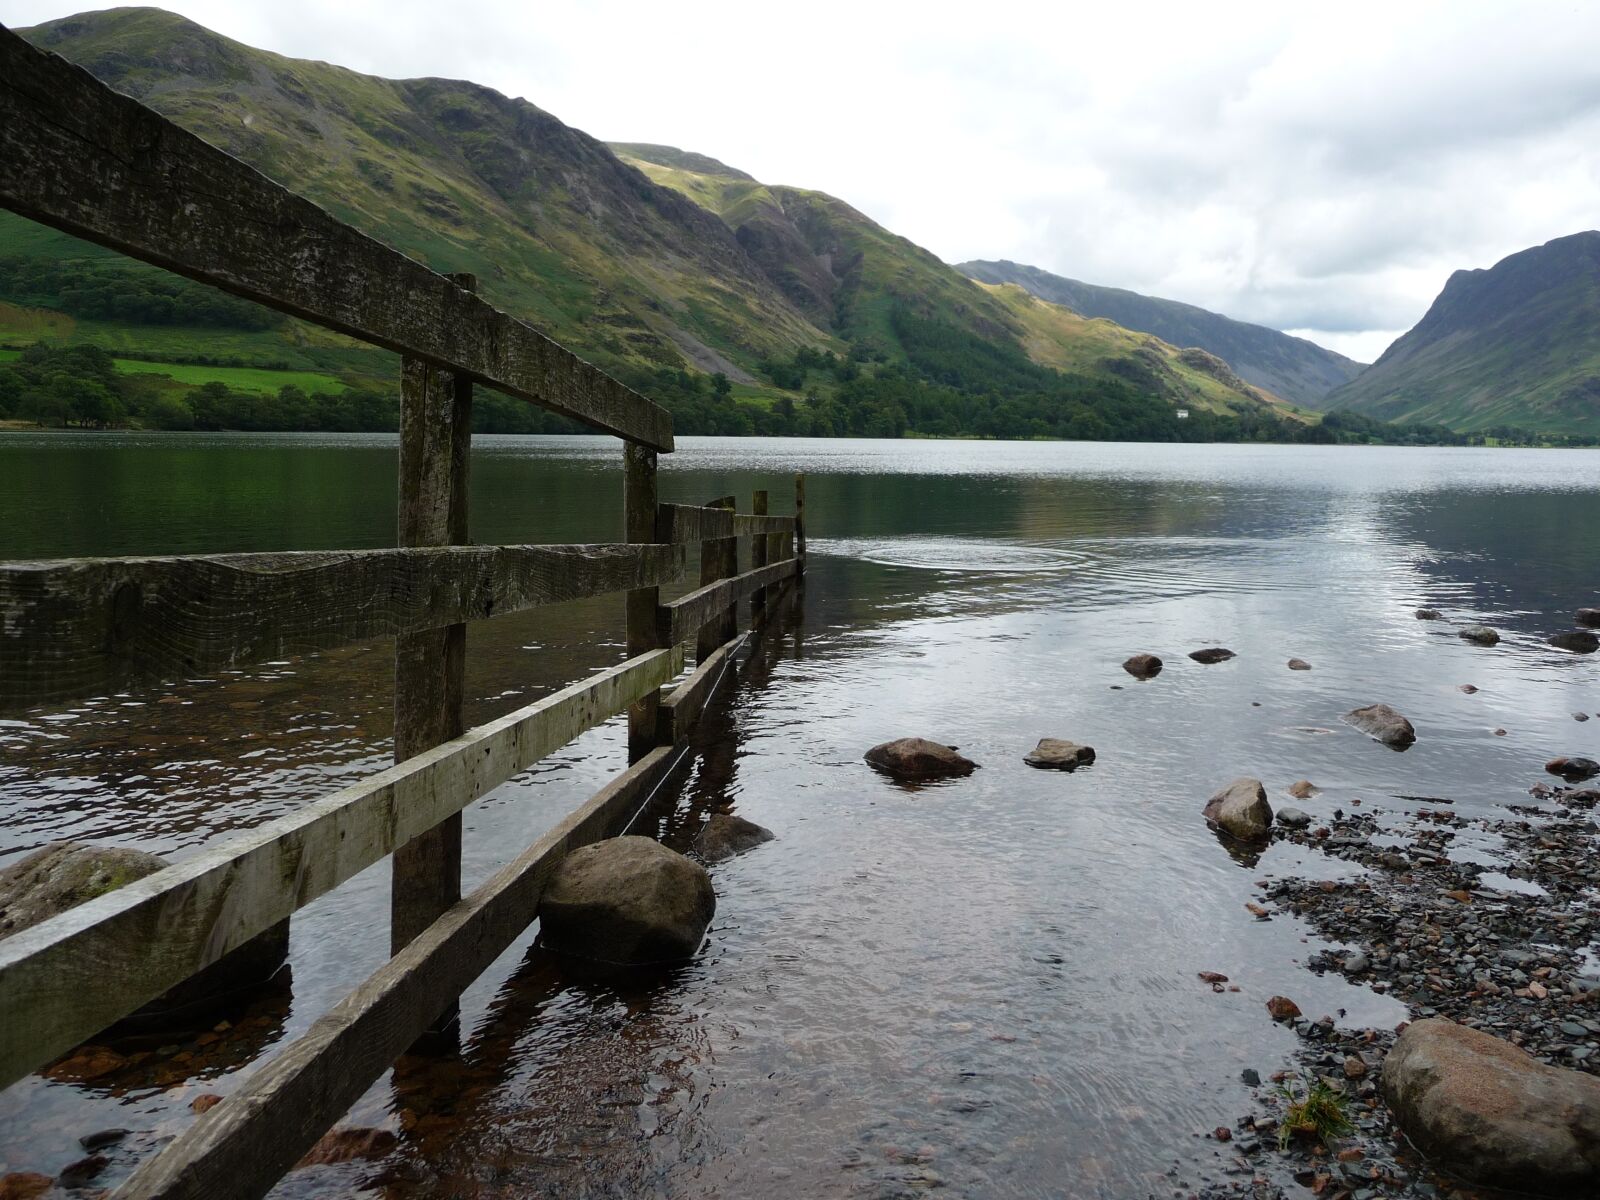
(241, 1146)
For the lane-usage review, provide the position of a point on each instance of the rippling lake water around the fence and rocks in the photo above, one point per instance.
(988, 985)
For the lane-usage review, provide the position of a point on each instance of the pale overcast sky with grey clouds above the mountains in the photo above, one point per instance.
(1313, 167)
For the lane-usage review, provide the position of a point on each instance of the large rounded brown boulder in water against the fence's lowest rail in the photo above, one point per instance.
(628, 902)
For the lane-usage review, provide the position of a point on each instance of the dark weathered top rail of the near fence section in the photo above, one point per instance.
(82, 158)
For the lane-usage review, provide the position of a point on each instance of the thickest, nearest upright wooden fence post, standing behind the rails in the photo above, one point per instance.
(436, 441)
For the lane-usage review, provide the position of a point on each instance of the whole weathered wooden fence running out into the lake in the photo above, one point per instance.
(81, 158)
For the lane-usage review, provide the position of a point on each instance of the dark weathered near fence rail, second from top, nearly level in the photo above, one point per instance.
(89, 626)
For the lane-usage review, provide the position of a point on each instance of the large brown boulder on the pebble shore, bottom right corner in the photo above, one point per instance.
(1492, 1113)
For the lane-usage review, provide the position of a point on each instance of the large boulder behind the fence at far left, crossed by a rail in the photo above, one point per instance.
(66, 874)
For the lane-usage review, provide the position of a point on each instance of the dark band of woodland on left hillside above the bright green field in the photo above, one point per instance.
(126, 292)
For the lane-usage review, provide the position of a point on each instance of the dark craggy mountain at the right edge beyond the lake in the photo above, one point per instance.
(1513, 345)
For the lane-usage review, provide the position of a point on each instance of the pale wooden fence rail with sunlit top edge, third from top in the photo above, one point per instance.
(68, 978)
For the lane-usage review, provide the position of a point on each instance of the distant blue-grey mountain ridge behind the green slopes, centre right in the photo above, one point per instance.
(1289, 367)
